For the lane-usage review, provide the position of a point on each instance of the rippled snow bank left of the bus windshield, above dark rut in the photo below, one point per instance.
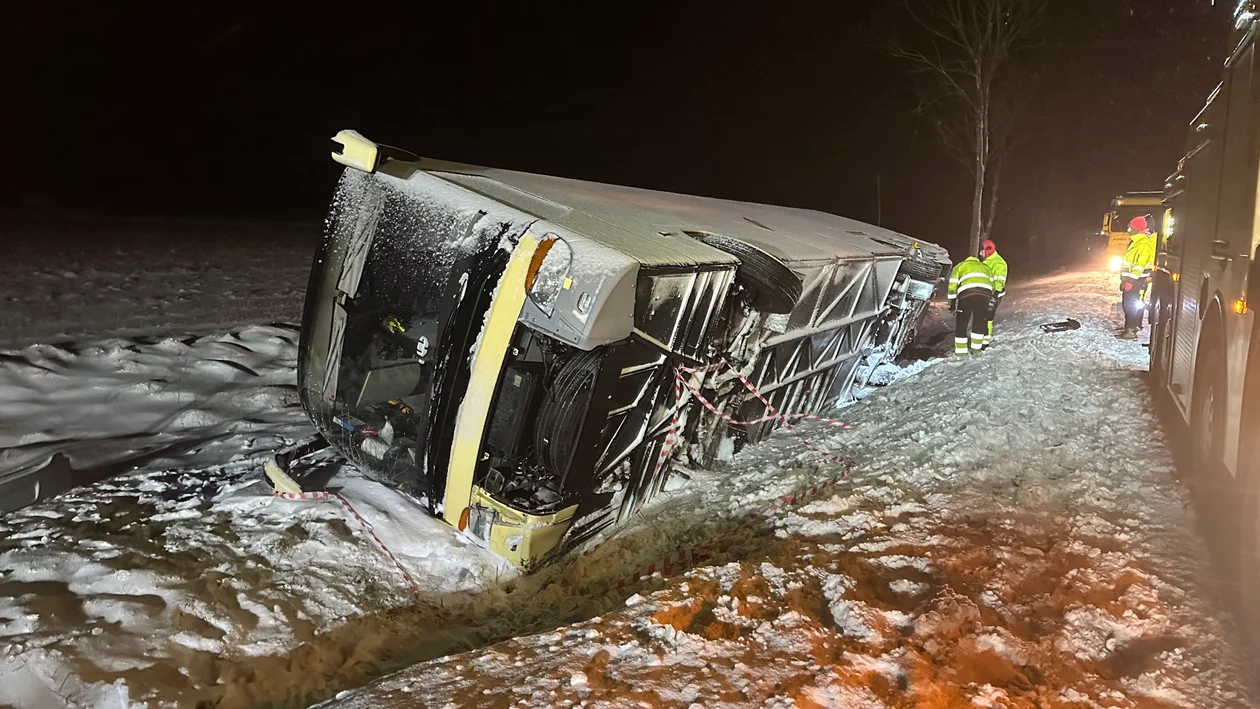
(192, 401)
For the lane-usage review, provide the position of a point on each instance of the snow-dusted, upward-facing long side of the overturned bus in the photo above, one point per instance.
(648, 225)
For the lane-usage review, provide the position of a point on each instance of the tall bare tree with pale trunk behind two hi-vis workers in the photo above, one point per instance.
(962, 56)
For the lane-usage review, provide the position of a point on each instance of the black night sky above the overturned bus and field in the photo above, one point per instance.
(226, 111)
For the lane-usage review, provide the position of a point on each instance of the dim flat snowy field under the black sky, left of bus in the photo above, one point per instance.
(76, 278)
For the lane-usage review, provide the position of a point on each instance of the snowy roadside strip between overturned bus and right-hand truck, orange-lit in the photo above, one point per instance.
(999, 546)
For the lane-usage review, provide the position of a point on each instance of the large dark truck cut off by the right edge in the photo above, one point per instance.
(1205, 348)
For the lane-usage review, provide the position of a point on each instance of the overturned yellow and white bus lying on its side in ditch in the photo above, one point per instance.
(511, 348)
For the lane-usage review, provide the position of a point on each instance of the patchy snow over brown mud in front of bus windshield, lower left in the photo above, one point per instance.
(172, 587)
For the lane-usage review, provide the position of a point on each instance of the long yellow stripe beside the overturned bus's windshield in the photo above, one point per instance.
(487, 366)
